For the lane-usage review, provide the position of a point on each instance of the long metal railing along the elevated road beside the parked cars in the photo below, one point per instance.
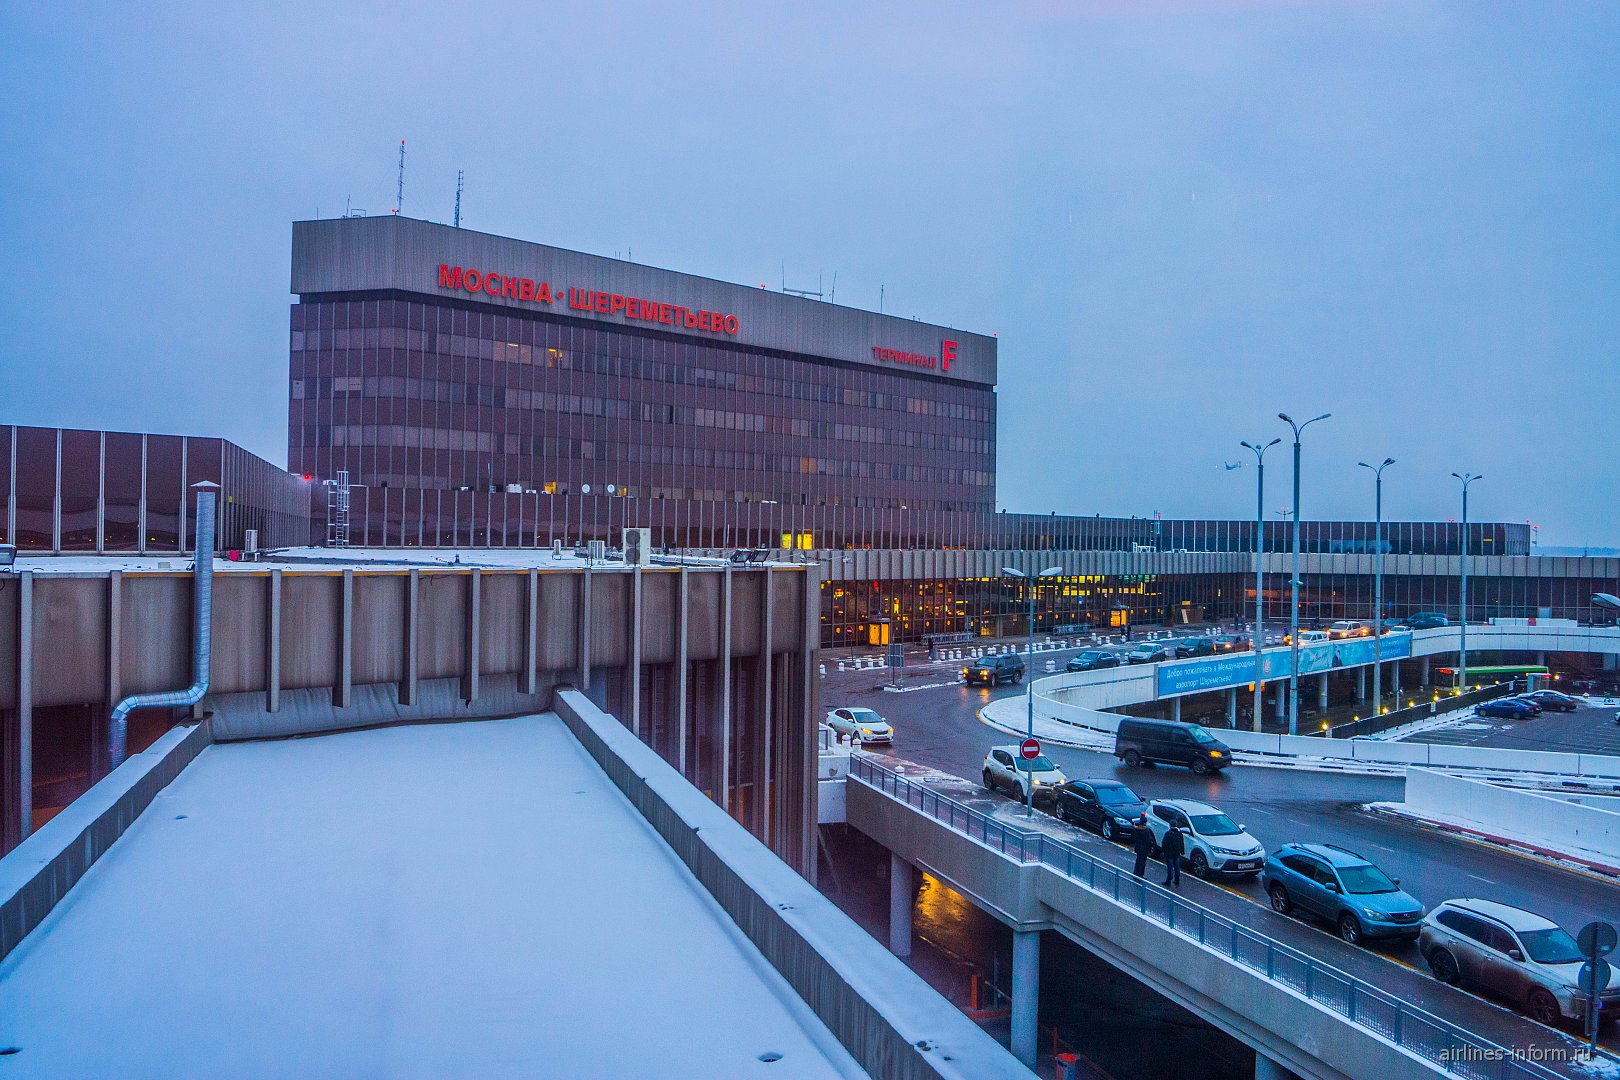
(1449, 1047)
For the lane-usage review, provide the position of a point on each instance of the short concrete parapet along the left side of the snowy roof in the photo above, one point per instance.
(41, 870)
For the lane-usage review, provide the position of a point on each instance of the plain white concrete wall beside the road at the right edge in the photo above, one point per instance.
(1517, 815)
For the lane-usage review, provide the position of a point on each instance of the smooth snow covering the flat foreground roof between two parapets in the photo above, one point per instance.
(438, 901)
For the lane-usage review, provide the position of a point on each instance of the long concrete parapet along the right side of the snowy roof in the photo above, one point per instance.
(889, 1019)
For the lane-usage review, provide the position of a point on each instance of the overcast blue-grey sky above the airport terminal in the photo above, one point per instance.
(1179, 218)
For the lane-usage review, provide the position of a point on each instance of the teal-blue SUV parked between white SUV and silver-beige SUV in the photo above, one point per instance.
(1337, 885)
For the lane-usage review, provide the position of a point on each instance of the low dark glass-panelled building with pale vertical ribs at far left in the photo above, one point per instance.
(111, 491)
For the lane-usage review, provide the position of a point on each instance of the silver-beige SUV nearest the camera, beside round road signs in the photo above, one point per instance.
(1512, 953)
